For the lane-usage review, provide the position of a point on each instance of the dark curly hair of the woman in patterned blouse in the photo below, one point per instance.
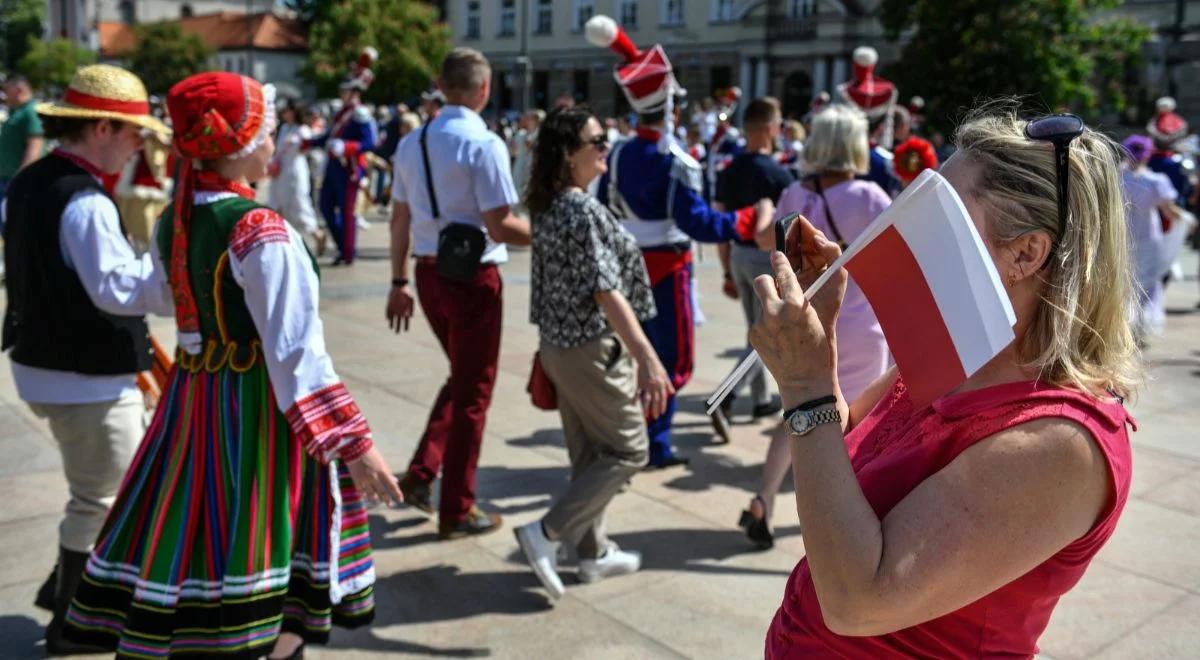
(559, 137)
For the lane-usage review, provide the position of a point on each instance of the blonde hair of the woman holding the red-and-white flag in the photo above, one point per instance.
(1082, 335)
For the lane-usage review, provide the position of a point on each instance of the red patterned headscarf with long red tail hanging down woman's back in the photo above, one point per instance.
(217, 116)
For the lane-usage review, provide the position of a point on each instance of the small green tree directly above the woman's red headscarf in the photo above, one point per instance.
(165, 56)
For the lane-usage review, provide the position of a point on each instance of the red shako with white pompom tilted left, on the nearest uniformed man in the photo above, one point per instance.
(645, 76)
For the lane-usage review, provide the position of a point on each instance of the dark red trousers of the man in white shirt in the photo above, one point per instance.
(466, 319)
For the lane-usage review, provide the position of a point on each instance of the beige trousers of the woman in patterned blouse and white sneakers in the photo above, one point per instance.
(605, 433)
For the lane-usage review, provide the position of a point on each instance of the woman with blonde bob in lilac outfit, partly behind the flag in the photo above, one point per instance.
(842, 206)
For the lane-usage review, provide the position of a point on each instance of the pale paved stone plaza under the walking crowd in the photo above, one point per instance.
(704, 592)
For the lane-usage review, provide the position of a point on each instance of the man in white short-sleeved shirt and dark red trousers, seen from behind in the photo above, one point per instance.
(469, 173)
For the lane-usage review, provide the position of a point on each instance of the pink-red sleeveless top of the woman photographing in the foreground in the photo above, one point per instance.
(897, 448)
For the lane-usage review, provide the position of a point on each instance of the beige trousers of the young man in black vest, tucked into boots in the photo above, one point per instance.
(98, 442)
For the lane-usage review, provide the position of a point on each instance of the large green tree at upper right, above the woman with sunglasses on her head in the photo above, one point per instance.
(1058, 55)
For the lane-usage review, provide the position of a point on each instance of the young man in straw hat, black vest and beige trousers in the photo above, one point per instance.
(77, 295)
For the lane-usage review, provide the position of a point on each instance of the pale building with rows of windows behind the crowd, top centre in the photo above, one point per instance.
(789, 49)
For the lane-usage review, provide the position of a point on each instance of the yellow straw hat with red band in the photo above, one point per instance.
(105, 92)
